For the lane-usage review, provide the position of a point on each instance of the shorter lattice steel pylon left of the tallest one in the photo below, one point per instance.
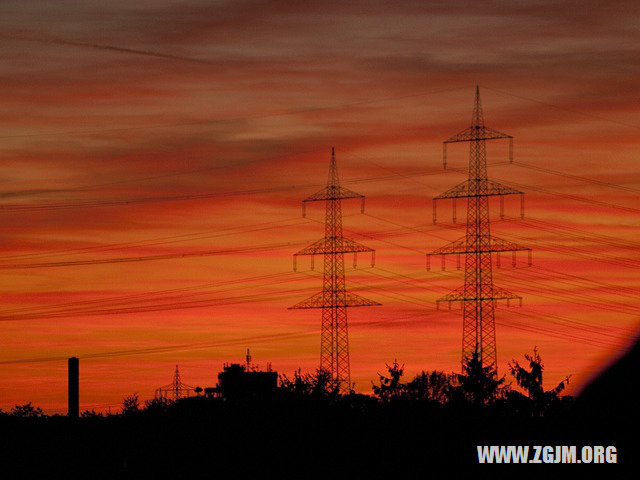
(334, 298)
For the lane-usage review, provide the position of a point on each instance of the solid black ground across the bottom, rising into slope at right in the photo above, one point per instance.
(354, 437)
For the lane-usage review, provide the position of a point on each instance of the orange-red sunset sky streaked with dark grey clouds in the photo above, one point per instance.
(154, 156)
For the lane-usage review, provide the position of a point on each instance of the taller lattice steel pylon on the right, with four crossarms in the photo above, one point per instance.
(478, 296)
